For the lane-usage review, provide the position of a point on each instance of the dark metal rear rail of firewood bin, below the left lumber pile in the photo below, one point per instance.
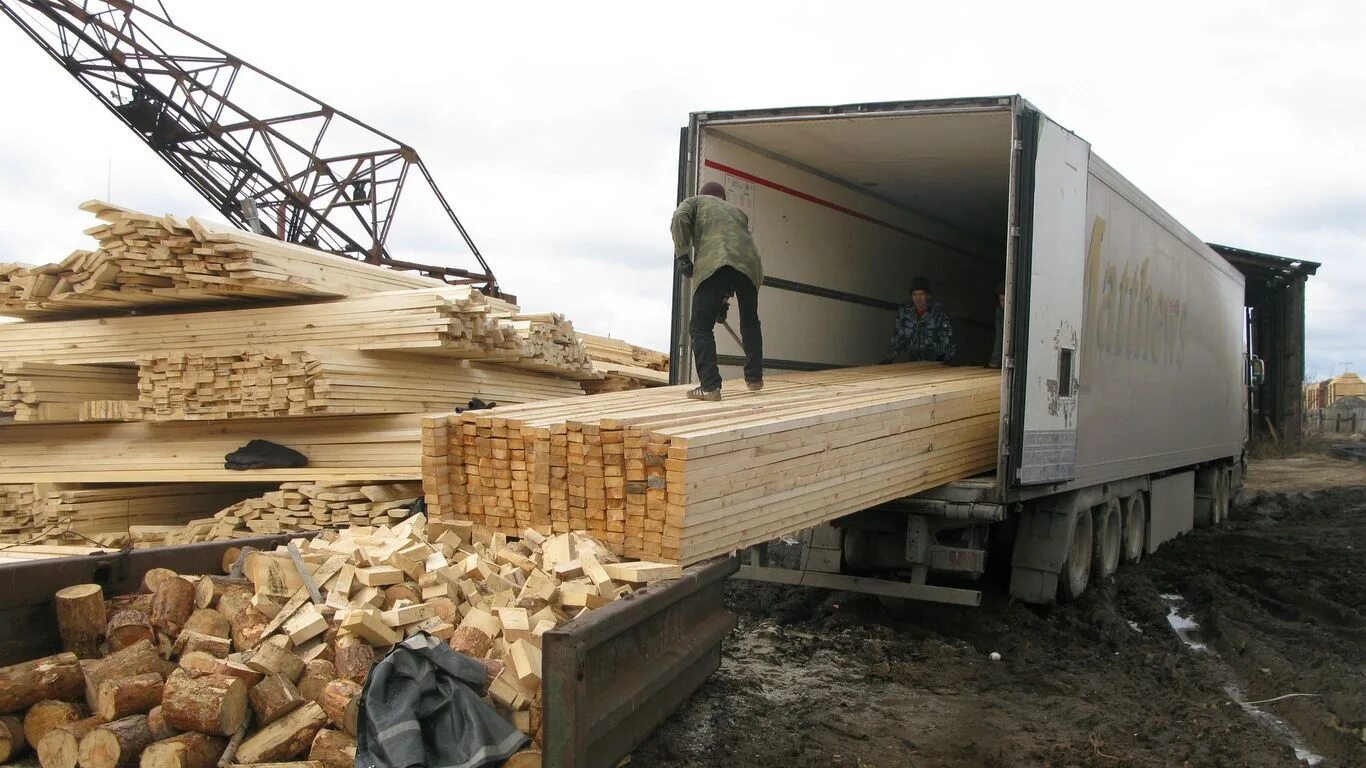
(28, 622)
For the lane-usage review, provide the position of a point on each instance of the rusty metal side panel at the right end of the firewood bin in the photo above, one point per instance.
(614, 676)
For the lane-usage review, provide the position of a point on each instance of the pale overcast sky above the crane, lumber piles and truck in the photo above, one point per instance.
(554, 128)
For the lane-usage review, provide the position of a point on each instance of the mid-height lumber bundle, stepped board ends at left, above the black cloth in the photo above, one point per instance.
(244, 383)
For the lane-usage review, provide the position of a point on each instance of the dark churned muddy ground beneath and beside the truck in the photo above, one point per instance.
(815, 678)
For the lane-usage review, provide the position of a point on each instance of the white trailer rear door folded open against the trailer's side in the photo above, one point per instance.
(1051, 266)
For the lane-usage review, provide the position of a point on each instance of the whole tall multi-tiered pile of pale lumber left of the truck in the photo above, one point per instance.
(191, 340)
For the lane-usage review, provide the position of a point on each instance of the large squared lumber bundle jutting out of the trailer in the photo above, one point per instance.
(662, 478)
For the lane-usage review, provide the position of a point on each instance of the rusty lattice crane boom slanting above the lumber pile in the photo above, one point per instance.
(264, 154)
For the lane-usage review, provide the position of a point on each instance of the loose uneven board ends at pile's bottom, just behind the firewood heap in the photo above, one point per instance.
(301, 508)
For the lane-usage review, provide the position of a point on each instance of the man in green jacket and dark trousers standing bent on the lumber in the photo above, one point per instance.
(712, 245)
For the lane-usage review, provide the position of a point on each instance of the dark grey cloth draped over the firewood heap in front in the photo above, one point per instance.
(421, 707)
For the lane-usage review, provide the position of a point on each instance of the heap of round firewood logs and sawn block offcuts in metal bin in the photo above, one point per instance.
(200, 672)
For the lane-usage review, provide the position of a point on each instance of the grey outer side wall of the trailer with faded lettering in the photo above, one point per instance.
(1162, 371)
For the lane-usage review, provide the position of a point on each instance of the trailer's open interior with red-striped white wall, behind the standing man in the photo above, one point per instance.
(848, 211)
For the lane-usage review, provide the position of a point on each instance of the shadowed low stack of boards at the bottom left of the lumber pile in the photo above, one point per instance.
(109, 513)
